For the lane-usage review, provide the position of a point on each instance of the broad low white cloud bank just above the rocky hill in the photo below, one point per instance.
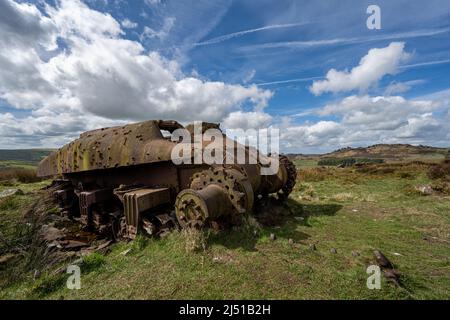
(365, 120)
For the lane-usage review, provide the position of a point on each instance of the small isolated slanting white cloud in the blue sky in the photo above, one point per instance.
(375, 65)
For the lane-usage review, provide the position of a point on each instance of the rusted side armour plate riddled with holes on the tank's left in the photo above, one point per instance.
(113, 147)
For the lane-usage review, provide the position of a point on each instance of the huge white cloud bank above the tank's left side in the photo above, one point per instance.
(96, 78)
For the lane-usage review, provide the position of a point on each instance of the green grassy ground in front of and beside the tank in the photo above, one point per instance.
(348, 211)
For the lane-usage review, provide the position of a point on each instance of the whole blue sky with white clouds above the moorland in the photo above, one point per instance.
(276, 48)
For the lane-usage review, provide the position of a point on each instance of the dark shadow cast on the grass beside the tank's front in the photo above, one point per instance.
(272, 217)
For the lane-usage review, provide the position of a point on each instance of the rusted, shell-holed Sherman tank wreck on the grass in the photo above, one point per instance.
(122, 180)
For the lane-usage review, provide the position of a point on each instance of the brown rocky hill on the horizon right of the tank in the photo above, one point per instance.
(391, 152)
